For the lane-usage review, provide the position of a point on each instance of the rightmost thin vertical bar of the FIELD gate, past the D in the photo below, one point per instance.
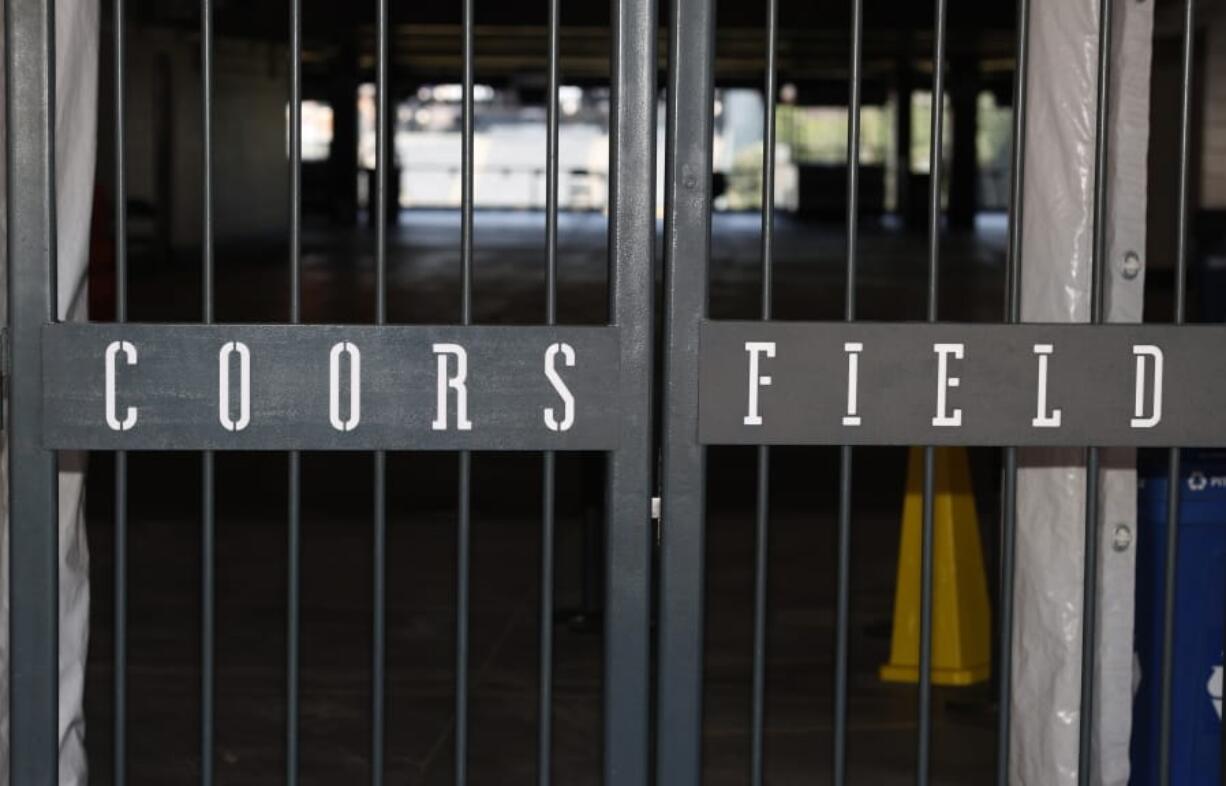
(1174, 486)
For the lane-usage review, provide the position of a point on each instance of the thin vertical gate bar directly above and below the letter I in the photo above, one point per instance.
(843, 603)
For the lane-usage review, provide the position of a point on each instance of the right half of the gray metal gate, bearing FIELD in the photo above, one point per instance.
(767, 383)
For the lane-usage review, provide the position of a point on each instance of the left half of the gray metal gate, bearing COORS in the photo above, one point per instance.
(205, 388)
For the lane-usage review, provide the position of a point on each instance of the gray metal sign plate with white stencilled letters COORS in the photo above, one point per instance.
(330, 388)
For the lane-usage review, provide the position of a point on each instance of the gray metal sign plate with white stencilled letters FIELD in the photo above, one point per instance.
(942, 384)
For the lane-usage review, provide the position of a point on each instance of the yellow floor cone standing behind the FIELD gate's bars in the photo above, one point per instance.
(962, 653)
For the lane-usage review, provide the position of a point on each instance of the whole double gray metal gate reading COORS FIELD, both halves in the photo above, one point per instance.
(290, 388)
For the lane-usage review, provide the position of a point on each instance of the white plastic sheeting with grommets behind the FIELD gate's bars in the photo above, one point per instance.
(1051, 485)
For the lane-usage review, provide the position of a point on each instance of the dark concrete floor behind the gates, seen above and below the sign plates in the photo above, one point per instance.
(165, 546)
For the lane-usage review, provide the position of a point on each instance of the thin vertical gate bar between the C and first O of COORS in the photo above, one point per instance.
(209, 518)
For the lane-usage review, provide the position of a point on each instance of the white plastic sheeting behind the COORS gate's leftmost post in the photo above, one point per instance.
(77, 72)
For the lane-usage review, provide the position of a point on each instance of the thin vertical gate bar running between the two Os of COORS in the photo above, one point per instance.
(295, 469)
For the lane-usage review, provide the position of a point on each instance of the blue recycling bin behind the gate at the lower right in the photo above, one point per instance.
(1201, 617)
